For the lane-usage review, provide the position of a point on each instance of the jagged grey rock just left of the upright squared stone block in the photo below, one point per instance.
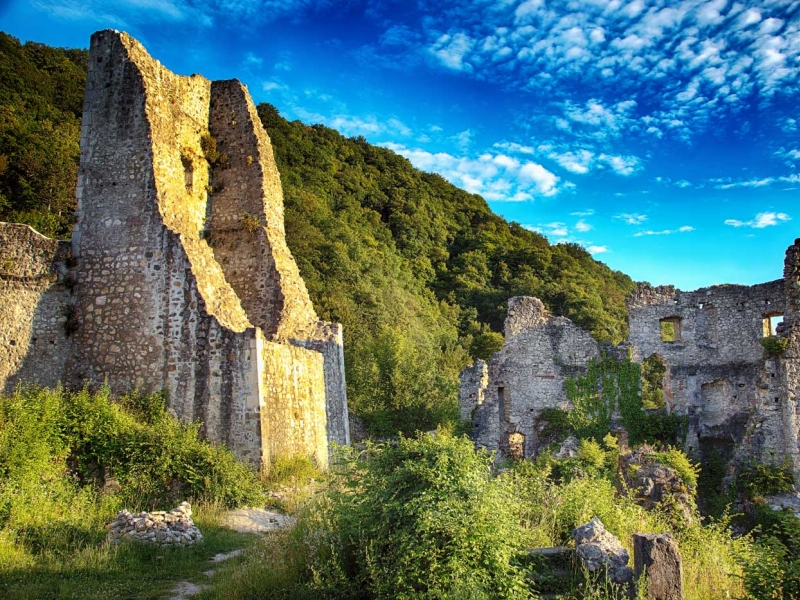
(601, 551)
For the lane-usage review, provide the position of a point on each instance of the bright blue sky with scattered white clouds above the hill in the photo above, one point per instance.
(664, 136)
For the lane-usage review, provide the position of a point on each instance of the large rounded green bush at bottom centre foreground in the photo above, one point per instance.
(420, 519)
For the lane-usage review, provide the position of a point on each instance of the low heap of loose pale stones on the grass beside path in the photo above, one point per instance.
(173, 528)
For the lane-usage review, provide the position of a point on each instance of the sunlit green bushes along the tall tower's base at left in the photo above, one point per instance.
(74, 439)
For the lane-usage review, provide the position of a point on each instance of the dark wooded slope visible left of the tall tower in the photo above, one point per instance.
(41, 98)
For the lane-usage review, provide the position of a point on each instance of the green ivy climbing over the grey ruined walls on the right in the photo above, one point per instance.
(610, 384)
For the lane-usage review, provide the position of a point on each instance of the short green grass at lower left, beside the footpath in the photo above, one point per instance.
(94, 569)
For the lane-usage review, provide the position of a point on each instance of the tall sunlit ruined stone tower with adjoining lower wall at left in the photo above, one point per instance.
(178, 276)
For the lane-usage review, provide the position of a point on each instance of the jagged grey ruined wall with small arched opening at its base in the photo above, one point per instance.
(527, 375)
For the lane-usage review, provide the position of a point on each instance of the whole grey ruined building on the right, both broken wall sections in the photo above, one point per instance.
(738, 399)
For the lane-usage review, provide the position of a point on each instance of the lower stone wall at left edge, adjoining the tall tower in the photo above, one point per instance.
(35, 317)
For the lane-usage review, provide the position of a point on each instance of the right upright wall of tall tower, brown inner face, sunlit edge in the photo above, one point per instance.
(245, 228)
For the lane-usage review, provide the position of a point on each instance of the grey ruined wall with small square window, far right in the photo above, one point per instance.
(717, 373)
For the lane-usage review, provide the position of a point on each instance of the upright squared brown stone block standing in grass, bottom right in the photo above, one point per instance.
(659, 557)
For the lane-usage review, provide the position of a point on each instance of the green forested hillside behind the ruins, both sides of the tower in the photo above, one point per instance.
(417, 270)
